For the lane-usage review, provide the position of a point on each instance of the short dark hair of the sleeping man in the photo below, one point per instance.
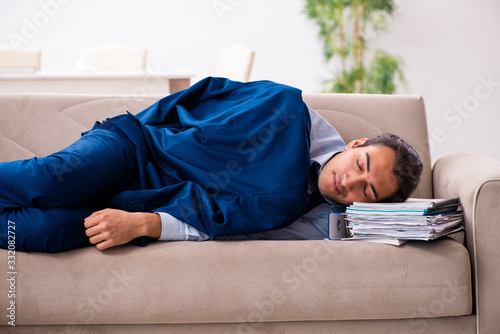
(407, 168)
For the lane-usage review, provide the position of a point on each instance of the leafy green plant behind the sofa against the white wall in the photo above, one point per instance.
(344, 28)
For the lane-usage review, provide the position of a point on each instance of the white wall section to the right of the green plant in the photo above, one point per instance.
(452, 50)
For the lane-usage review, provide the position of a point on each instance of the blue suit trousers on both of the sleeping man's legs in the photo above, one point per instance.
(43, 201)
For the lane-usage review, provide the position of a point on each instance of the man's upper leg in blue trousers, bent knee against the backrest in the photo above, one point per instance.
(89, 171)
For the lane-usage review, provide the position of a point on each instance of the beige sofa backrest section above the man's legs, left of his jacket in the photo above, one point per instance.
(40, 124)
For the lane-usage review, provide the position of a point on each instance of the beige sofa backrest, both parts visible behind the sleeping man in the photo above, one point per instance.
(39, 124)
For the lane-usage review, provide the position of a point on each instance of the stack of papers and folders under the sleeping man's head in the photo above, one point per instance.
(414, 219)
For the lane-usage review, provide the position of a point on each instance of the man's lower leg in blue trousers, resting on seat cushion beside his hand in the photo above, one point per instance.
(44, 229)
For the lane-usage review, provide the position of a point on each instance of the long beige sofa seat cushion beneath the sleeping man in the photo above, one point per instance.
(242, 281)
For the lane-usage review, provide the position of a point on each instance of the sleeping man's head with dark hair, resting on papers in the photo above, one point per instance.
(384, 168)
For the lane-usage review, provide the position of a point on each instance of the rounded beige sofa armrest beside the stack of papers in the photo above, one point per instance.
(475, 179)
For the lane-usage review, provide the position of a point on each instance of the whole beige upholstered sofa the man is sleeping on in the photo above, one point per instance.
(445, 286)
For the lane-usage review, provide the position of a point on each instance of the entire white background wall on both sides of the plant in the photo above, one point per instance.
(450, 48)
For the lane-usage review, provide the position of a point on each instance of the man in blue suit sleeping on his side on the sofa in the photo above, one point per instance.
(221, 159)
